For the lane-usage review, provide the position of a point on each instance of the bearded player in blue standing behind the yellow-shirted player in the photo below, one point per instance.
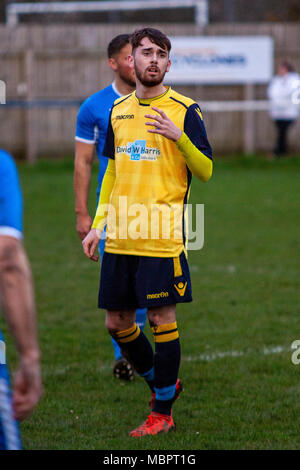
(92, 124)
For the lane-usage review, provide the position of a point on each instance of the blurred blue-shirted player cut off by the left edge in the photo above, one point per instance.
(18, 305)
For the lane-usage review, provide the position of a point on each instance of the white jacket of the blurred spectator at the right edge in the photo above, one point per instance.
(283, 96)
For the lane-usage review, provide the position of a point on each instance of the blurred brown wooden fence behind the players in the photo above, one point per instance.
(49, 70)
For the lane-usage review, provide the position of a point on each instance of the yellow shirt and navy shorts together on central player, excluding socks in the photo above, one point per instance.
(151, 174)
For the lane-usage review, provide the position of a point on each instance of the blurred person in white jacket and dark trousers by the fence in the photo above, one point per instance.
(284, 108)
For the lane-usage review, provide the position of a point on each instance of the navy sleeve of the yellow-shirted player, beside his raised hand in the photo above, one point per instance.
(195, 130)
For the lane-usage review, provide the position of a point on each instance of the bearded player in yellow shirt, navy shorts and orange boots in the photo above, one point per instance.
(156, 141)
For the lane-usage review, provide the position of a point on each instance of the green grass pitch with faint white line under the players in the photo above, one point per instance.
(241, 388)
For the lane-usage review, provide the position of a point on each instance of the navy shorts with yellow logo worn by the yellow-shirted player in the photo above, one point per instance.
(128, 282)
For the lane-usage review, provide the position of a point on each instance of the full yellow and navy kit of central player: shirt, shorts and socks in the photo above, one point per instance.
(147, 170)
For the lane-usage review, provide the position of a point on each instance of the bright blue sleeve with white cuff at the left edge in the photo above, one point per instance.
(11, 200)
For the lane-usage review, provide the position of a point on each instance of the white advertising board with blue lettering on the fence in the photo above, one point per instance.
(221, 60)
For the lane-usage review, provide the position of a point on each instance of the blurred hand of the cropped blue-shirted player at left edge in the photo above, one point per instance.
(27, 387)
